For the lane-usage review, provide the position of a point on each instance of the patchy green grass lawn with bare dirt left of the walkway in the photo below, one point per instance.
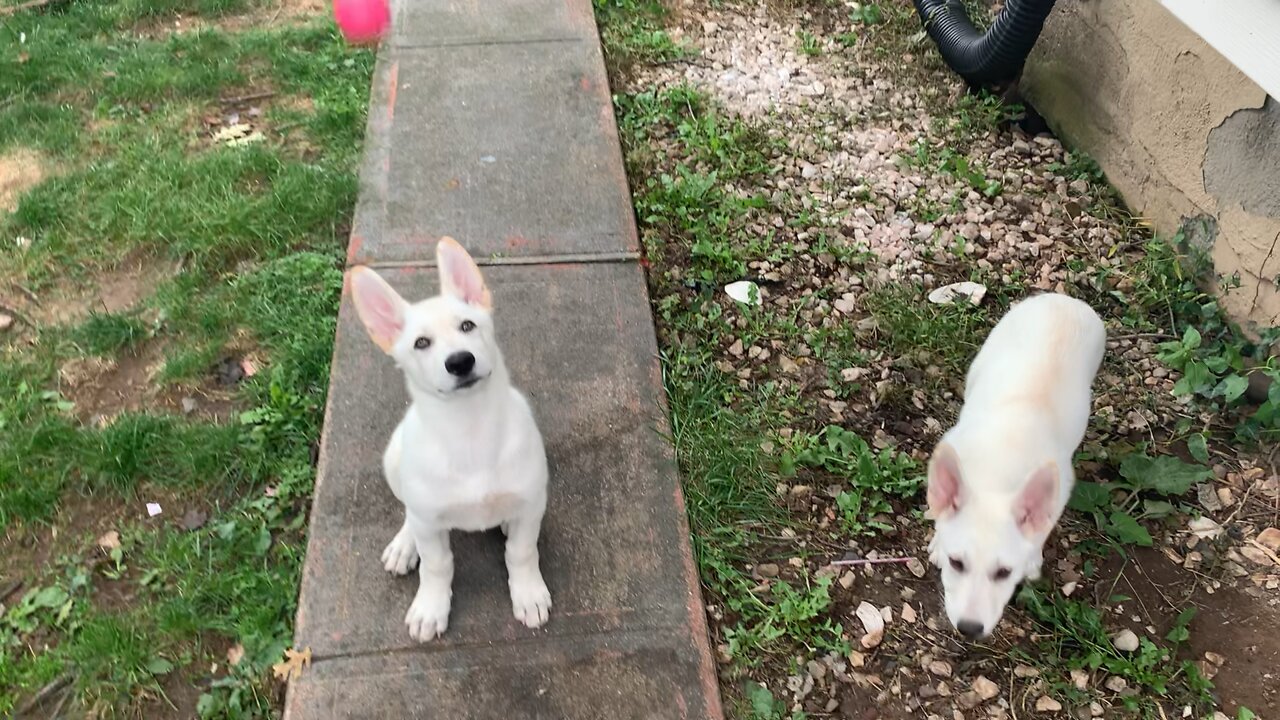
(179, 179)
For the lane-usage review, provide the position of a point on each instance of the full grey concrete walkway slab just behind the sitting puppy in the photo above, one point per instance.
(513, 147)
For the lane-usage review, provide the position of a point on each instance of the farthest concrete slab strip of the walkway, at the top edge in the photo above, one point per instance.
(424, 24)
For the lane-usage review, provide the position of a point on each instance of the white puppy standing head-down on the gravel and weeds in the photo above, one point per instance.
(1000, 480)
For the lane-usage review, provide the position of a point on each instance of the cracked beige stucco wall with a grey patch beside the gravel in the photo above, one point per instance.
(1183, 135)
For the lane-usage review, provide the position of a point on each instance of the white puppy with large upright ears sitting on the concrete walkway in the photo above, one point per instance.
(468, 454)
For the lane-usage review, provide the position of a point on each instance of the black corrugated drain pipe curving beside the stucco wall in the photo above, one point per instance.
(991, 58)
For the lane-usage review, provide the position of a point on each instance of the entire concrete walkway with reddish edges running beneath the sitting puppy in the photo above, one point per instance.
(492, 124)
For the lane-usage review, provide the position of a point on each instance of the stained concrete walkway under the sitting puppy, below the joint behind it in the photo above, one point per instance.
(628, 632)
